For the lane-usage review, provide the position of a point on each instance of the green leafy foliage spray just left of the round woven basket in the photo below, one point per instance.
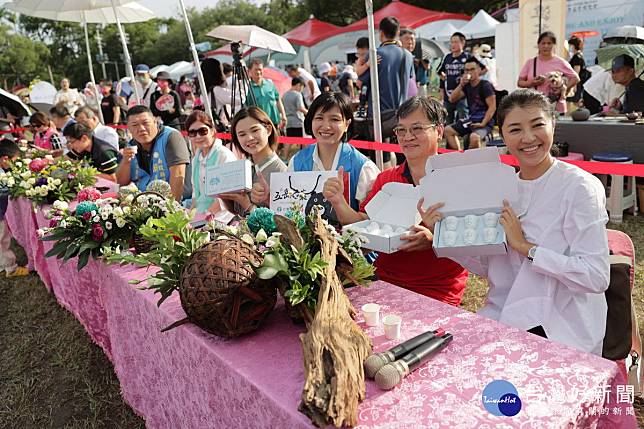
(175, 241)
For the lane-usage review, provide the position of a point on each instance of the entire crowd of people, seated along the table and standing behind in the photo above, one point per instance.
(552, 279)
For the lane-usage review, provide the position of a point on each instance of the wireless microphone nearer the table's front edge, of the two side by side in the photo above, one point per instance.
(393, 373)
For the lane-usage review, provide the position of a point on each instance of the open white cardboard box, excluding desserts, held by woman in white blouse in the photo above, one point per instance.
(472, 182)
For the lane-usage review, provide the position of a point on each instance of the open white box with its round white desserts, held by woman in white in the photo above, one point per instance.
(472, 185)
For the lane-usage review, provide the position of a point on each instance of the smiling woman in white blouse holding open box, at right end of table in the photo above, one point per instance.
(552, 280)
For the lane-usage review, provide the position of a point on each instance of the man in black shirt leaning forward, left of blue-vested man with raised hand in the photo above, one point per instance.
(82, 145)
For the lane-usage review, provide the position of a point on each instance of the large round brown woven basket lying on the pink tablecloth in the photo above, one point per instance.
(220, 291)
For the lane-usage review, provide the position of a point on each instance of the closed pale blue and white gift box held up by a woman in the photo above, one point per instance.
(234, 176)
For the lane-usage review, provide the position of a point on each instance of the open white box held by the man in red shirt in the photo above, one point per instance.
(394, 205)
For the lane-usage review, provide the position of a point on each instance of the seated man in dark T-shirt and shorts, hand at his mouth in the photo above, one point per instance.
(481, 99)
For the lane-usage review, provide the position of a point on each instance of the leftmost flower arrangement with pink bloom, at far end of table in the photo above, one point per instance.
(46, 179)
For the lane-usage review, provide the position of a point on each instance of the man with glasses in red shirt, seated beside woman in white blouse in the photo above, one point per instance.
(421, 122)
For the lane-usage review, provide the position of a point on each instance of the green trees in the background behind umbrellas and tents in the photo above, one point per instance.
(28, 45)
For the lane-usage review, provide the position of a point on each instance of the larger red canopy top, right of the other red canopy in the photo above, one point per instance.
(408, 15)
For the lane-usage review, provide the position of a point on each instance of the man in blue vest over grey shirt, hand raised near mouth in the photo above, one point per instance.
(155, 153)
